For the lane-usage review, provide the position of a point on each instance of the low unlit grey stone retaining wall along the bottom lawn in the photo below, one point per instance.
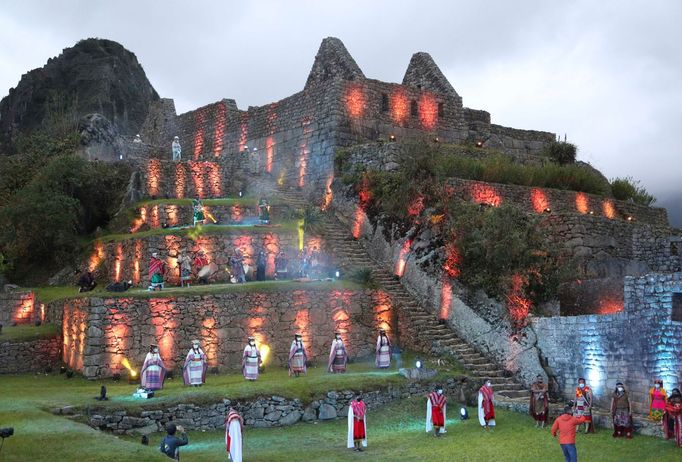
(272, 411)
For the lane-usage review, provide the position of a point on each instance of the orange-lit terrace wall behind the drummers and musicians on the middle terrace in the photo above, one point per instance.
(129, 259)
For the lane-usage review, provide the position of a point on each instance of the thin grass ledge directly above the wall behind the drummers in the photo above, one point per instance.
(284, 227)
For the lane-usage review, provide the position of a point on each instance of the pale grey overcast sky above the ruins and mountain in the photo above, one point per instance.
(606, 73)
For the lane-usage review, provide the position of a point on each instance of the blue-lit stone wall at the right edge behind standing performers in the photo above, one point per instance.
(634, 346)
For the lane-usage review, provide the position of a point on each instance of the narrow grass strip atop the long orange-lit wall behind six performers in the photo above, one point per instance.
(51, 294)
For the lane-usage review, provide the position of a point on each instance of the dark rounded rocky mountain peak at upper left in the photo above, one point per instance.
(94, 76)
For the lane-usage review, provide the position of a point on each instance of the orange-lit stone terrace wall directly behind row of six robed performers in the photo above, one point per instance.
(100, 333)
